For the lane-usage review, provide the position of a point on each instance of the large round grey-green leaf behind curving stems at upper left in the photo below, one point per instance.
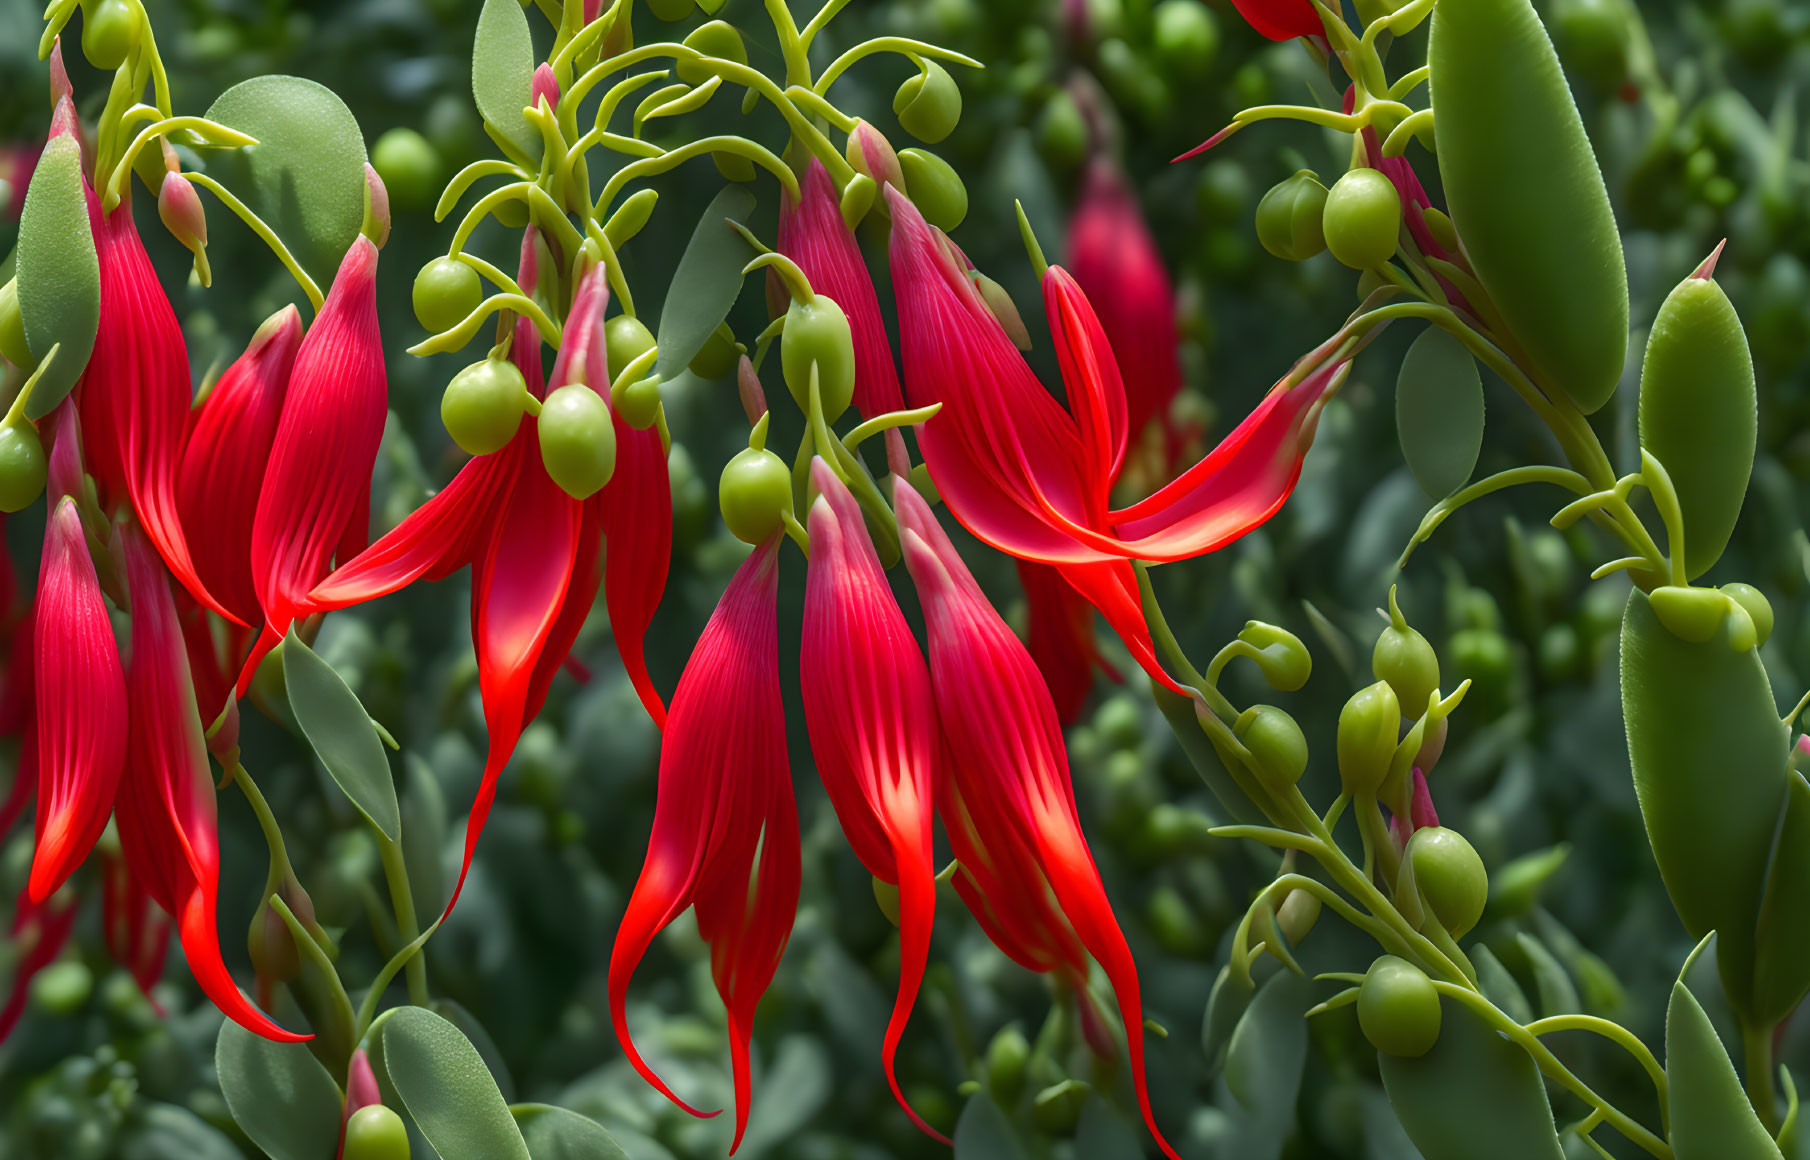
(305, 176)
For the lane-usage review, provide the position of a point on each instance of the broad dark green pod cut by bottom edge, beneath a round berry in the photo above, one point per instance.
(1474, 1098)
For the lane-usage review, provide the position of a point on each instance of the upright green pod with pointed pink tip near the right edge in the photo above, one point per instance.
(1699, 412)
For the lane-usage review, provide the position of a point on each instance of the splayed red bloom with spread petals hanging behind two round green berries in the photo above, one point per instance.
(535, 551)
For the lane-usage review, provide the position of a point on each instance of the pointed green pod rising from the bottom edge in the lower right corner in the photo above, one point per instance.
(1710, 1114)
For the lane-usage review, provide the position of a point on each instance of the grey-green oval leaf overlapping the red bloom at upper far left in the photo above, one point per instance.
(59, 274)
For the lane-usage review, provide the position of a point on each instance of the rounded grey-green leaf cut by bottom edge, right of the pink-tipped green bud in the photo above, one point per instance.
(448, 1090)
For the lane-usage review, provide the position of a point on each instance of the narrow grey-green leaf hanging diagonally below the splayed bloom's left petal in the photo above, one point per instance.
(341, 734)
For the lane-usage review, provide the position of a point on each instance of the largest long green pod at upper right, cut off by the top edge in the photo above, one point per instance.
(1527, 196)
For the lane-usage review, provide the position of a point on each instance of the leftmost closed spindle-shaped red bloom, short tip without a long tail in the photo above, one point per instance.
(81, 705)
